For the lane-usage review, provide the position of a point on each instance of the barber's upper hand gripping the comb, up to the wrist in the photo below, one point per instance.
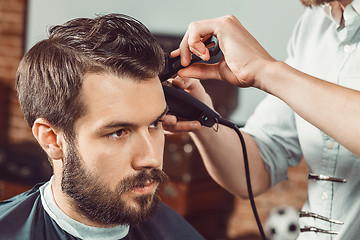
(244, 58)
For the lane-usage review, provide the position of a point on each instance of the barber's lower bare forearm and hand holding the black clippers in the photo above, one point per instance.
(221, 151)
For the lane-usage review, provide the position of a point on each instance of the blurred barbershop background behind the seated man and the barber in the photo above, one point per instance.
(211, 210)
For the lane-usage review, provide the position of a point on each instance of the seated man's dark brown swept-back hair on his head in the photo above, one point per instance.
(50, 75)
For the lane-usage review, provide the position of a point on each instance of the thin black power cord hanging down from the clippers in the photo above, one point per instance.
(247, 173)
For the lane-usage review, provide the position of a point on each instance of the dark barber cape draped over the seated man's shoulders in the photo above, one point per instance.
(24, 218)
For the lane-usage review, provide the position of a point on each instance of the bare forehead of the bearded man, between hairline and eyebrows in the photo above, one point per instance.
(111, 98)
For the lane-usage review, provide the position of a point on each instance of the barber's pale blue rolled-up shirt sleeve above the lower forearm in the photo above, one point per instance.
(274, 130)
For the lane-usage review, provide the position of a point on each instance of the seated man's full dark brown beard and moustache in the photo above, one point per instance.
(98, 203)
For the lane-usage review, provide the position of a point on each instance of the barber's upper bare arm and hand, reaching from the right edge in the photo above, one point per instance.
(247, 64)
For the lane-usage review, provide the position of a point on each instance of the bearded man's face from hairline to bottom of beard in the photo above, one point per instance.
(113, 169)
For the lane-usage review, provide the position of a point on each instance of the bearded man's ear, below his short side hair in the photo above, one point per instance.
(49, 138)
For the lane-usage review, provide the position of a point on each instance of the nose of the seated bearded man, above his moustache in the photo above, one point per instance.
(147, 154)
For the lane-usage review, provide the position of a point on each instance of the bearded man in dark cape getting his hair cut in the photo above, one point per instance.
(92, 96)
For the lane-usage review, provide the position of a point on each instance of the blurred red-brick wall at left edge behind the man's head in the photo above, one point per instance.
(12, 34)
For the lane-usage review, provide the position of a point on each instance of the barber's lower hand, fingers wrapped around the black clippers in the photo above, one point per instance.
(194, 87)
